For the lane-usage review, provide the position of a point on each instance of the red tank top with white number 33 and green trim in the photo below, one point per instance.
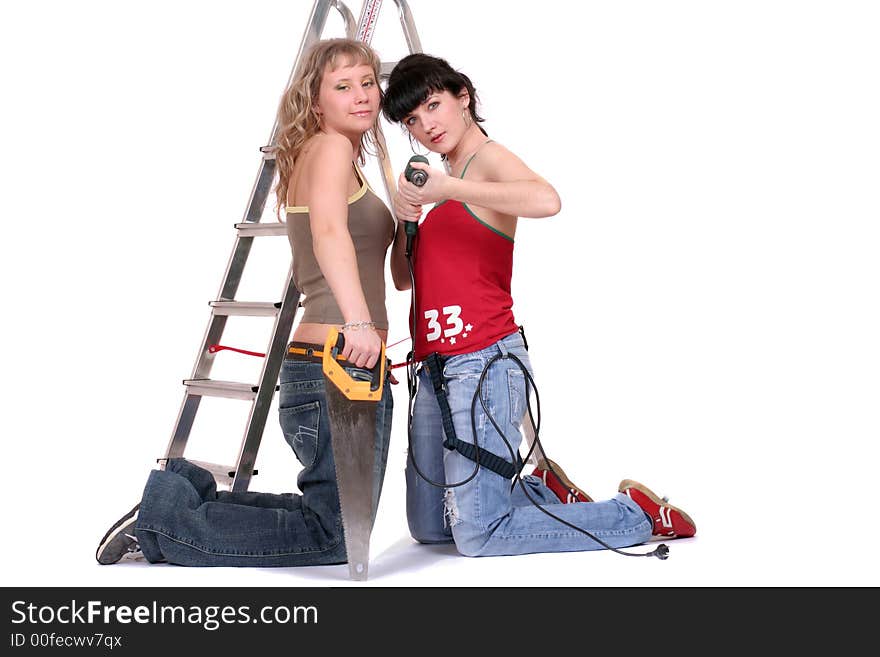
(462, 270)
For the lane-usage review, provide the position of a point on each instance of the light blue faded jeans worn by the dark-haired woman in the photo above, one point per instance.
(484, 517)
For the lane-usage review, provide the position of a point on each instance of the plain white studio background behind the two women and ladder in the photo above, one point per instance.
(702, 314)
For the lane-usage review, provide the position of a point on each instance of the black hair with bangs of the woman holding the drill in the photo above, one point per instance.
(417, 76)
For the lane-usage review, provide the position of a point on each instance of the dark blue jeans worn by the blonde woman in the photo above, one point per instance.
(183, 519)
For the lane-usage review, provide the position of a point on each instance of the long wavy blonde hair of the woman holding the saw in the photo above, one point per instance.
(297, 121)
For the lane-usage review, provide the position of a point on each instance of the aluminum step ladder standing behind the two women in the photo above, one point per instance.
(237, 477)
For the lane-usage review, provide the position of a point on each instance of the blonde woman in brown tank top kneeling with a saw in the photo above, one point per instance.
(339, 233)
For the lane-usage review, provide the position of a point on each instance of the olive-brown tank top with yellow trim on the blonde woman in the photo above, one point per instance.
(372, 231)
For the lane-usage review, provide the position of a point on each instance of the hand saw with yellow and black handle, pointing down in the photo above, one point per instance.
(352, 406)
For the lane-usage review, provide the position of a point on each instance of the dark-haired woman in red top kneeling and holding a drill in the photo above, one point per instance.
(462, 260)
